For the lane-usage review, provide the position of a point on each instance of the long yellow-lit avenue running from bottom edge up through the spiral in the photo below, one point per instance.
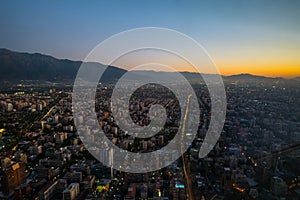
(186, 172)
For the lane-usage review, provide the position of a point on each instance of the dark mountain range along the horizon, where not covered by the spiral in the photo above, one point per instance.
(16, 66)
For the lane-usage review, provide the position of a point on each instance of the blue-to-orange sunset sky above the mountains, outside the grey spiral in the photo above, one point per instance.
(242, 36)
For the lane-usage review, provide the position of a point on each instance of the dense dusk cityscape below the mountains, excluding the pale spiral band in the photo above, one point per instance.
(257, 156)
